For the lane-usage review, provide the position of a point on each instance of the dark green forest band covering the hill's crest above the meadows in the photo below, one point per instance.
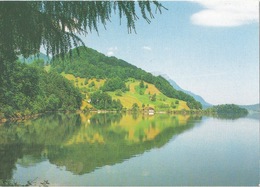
(92, 64)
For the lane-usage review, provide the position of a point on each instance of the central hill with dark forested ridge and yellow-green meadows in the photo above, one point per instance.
(95, 73)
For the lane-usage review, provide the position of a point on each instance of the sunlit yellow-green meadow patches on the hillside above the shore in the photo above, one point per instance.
(127, 98)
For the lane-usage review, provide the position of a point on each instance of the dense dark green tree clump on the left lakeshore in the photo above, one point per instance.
(29, 89)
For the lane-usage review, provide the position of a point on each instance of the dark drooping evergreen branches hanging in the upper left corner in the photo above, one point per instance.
(26, 25)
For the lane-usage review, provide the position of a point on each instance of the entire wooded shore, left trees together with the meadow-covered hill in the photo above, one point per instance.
(94, 81)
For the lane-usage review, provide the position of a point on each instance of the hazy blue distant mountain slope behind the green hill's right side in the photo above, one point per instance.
(177, 87)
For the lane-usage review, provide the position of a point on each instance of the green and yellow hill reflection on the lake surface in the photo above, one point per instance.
(83, 142)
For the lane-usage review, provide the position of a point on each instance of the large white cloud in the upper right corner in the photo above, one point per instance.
(226, 13)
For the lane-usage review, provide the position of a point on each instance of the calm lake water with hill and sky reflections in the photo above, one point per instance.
(116, 149)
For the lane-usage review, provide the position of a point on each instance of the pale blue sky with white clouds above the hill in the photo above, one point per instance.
(210, 48)
